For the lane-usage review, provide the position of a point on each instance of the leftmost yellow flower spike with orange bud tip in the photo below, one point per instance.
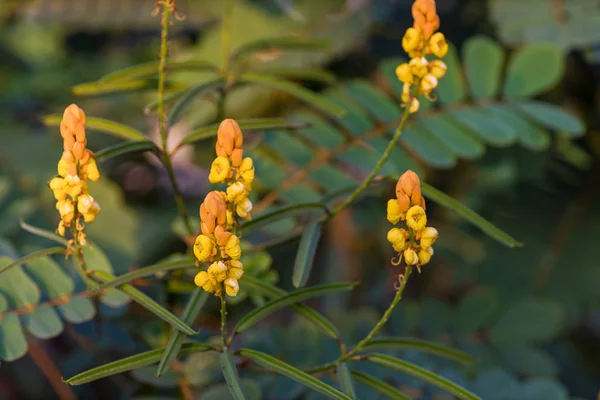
(76, 166)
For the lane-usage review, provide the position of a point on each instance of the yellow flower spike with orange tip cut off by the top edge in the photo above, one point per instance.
(419, 75)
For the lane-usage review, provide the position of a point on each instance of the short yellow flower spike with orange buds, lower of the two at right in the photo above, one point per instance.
(415, 243)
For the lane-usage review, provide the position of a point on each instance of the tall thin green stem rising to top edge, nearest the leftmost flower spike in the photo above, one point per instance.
(162, 120)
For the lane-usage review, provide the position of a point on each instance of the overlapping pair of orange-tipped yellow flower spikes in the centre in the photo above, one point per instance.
(218, 243)
